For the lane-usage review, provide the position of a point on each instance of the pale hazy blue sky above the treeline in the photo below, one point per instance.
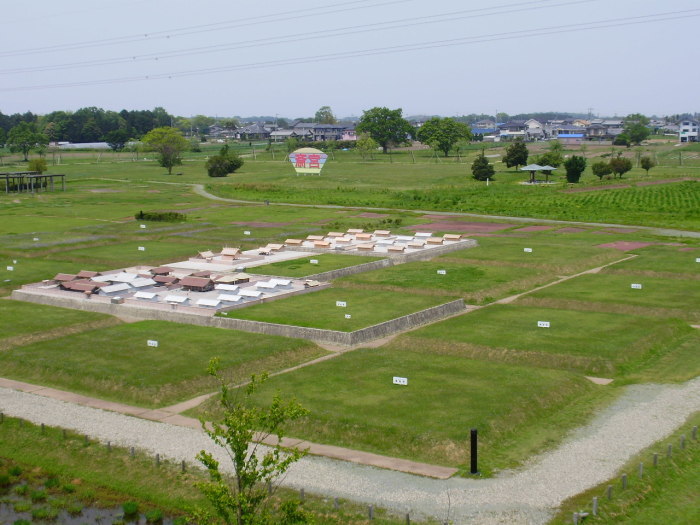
(438, 57)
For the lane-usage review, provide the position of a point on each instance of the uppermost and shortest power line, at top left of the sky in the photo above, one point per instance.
(215, 26)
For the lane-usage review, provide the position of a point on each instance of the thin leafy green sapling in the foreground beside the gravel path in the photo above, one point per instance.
(242, 500)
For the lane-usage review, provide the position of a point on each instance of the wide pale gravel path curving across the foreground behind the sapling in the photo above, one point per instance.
(592, 454)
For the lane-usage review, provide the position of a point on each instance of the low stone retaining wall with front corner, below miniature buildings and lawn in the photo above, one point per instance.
(317, 335)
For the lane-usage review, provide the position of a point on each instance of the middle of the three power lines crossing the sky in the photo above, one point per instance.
(343, 31)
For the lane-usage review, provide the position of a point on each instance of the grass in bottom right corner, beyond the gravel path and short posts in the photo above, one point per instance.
(666, 494)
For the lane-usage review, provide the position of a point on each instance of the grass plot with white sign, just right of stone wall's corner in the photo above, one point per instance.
(595, 343)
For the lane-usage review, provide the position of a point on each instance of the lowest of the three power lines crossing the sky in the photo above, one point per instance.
(511, 35)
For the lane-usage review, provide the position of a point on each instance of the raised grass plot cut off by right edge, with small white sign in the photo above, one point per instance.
(680, 297)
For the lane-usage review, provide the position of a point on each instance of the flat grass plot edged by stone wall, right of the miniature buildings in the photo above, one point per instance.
(319, 310)
